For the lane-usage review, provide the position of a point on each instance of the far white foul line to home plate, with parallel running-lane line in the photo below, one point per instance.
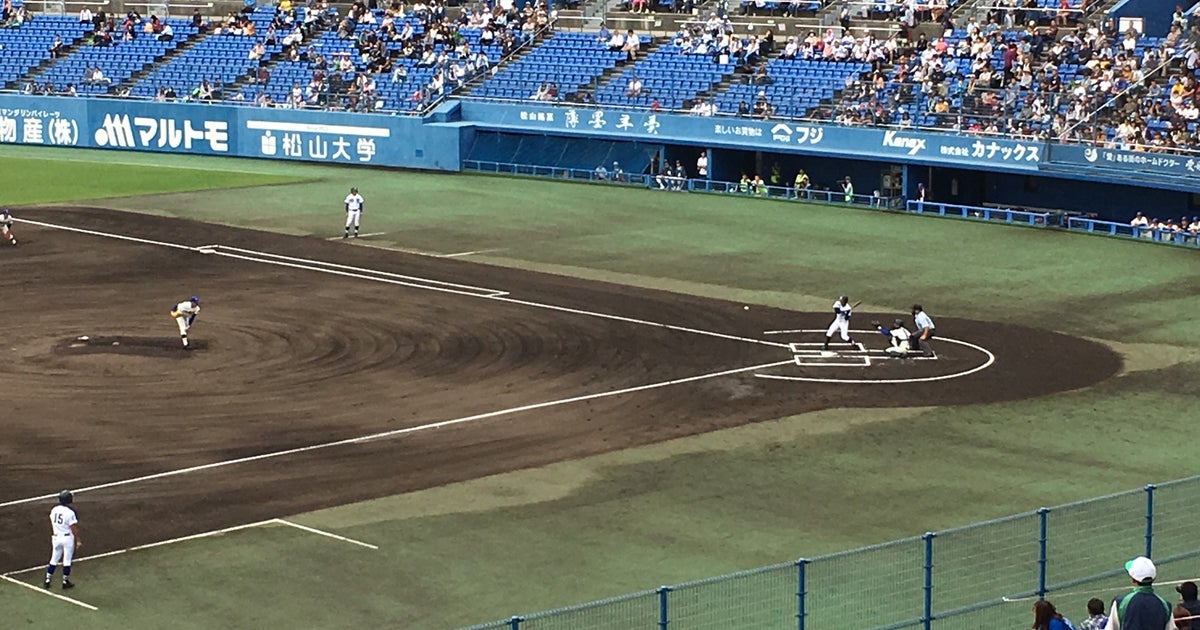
(401, 280)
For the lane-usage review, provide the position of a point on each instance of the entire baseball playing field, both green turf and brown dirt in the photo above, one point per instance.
(512, 395)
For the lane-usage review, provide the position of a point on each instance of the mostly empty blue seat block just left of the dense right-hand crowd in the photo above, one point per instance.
(797, 86)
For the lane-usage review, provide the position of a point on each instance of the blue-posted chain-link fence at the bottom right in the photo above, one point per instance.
(981, 577)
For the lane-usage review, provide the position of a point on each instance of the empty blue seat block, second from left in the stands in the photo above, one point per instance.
(118, 62)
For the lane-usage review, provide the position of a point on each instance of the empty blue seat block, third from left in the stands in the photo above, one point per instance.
(221, 59)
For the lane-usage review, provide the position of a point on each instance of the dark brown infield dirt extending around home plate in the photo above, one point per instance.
(293, 358)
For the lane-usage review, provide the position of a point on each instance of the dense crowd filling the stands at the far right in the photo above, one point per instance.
(1083, 83)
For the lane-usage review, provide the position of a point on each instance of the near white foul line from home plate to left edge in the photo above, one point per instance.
(399, 433)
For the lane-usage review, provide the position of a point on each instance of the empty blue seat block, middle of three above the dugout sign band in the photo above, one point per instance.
(667, 76)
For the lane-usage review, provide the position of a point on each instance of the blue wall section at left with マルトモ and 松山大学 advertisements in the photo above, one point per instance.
(364, 140)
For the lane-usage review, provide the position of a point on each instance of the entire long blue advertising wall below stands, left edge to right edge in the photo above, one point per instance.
(445, 139)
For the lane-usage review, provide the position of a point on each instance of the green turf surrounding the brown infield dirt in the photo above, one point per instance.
(728, 501)
